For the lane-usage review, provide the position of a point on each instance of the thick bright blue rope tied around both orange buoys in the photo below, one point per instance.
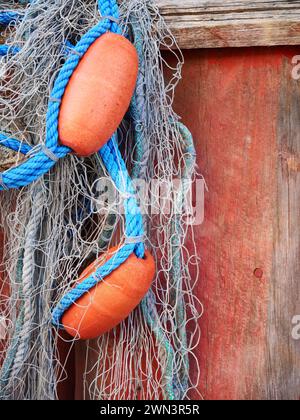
(40, 162)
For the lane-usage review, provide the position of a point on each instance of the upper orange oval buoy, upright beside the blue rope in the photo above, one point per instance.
(98, 94)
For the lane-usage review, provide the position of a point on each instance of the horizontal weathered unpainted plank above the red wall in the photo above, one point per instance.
(216, 23)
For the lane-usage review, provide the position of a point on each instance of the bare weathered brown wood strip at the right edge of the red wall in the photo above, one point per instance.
(283, 364)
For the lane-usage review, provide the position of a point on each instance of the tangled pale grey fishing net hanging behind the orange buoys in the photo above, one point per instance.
(59, 224)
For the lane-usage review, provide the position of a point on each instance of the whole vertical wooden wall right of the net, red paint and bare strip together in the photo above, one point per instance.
(243, 109)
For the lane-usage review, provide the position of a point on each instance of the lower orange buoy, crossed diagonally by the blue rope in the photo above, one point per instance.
(112, 300)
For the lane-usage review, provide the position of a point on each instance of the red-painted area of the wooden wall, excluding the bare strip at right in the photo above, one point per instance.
(230, 99)
